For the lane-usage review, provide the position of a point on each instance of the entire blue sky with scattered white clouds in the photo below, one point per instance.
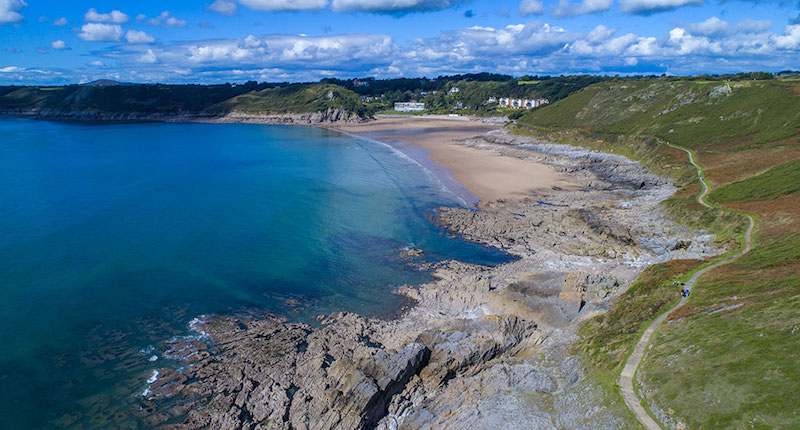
(192, 41)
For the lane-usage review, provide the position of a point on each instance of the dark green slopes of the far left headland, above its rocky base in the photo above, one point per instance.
(180, 99)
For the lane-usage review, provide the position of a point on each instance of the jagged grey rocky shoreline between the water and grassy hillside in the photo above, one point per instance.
(482, 347)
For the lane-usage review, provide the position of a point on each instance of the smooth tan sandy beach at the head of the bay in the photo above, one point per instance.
(487, 175)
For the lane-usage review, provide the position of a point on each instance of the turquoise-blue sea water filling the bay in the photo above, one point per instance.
(112, 237)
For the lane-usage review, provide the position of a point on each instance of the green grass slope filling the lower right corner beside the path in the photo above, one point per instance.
(730, 360)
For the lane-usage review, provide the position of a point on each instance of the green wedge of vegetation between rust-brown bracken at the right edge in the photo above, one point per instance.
(775, 182)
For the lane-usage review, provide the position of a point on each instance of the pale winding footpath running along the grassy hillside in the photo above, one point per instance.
(628, 374)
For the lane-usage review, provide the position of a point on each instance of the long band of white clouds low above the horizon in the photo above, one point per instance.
(532, 48)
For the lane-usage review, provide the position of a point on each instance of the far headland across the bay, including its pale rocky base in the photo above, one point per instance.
(290, 104)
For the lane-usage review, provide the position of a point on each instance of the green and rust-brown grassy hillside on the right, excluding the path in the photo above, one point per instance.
(727, 359)
